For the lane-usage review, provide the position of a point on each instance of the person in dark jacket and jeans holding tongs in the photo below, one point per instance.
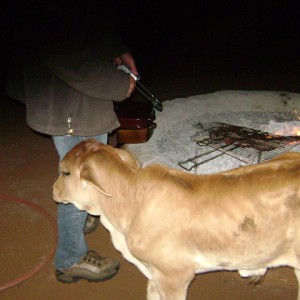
(64, 70)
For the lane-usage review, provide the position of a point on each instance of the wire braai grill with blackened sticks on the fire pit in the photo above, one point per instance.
(245, 144)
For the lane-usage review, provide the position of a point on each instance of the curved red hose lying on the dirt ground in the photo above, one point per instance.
(51, 253)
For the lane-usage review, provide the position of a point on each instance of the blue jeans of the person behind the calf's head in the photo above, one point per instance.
(71, 243)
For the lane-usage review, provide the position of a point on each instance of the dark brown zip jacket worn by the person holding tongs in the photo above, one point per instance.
(64, 72)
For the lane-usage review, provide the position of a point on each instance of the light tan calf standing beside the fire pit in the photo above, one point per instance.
(173, 225)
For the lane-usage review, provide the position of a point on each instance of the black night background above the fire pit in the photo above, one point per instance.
(220, 44)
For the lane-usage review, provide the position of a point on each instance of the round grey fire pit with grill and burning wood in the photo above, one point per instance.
(195, 133)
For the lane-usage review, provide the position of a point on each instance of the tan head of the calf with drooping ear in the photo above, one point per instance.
(86, 171)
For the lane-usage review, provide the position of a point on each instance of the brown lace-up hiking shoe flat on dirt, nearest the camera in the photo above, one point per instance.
(91, 267)
